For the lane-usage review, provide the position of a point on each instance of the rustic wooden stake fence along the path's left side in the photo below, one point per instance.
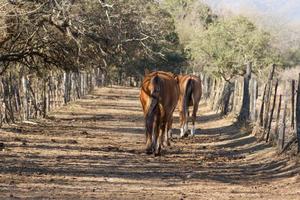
(25, 96)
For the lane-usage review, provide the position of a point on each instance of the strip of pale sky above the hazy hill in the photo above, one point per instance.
(286, 11)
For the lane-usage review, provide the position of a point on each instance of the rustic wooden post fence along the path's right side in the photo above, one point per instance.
(273, 106)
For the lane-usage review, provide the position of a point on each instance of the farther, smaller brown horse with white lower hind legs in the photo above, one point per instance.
(190, 94)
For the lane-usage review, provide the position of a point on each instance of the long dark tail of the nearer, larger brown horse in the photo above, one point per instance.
(153, 104)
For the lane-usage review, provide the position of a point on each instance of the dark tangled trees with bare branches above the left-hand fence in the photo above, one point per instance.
(113, 35)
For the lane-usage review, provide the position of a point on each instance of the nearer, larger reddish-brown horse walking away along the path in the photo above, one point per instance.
(159, 96)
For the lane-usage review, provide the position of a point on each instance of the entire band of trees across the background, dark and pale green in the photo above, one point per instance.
(122, 38)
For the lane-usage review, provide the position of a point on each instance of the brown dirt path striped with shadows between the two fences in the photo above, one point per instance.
(94, 148)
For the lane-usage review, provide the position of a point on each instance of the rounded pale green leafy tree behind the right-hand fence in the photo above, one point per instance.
(228, 44)
